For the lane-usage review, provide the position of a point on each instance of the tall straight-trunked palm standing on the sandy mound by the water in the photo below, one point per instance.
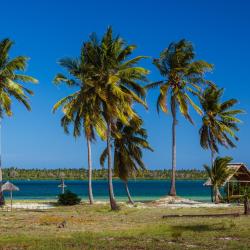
(183, 76)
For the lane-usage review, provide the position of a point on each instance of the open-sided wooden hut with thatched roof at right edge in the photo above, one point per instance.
(237, 182)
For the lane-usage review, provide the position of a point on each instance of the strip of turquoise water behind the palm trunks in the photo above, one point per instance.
(140, 190)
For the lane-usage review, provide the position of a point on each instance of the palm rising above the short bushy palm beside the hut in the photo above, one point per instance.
(219, 124)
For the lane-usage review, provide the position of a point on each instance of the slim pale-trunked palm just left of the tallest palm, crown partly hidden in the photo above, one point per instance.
(80, 108)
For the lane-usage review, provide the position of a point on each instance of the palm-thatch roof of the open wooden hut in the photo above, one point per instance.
(240, 172)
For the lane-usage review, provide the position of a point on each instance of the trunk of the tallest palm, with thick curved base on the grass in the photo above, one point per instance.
(113, 203)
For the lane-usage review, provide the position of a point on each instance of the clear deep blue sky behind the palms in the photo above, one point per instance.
(47, 30)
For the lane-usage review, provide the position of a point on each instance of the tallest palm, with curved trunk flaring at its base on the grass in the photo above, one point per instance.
(115, 80)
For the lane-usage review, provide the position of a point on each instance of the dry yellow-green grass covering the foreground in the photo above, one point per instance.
(96, 227)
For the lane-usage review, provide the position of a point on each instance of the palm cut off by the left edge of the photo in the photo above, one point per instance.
(10, 86)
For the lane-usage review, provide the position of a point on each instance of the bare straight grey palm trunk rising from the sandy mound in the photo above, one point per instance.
(174, 122)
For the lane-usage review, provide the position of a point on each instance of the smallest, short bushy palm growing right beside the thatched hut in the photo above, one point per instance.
(218, 174)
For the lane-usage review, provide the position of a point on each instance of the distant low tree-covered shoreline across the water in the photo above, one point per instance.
(13, 173)
